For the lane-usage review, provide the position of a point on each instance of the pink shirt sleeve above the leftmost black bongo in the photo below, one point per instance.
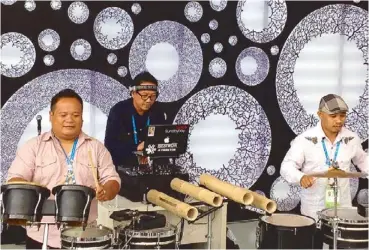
(24, 163)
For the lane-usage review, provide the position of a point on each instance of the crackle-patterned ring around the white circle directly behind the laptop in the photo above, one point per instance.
(254, 136)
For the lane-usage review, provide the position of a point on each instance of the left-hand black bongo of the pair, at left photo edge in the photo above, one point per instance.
(22, 202)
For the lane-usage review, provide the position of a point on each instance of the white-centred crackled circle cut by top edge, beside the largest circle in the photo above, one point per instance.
(251, 18)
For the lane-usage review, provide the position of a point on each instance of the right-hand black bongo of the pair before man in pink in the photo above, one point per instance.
(72, 203)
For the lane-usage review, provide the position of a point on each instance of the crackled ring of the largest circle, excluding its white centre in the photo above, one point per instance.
(327, 20)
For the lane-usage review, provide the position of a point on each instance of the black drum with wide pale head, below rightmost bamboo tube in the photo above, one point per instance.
(285, 231)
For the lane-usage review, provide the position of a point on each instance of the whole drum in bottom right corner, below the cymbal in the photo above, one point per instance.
(352, 228)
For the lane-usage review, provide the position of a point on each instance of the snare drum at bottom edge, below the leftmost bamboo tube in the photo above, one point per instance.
(158, 238)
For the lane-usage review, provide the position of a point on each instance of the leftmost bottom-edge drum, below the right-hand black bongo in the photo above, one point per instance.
(98, 237)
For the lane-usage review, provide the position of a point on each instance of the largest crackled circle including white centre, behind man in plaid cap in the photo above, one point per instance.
(322, 23)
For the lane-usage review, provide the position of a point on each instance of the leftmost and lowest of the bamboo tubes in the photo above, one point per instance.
(175, 206)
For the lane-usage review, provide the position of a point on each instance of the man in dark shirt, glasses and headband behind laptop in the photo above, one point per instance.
(128, 121)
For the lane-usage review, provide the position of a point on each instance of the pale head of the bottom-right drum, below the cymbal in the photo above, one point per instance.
(345, 214)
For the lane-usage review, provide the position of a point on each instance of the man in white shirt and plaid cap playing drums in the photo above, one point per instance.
(319, 148)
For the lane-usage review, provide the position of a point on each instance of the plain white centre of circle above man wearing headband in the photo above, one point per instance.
(162, 61)
